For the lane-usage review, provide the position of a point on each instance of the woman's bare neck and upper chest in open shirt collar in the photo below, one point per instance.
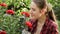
(40, 24)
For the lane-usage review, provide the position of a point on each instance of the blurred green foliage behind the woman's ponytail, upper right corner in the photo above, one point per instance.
(56, 7)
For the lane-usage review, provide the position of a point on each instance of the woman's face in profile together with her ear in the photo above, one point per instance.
(35, 11)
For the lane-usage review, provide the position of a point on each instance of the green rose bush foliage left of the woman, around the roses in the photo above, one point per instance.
(13, 24)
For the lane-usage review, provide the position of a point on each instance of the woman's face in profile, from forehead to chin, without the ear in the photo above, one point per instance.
(34, 11)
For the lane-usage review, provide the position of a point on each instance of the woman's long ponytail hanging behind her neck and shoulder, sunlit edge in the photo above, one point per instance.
(51, 14)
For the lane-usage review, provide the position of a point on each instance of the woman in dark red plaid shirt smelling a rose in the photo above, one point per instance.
(42, 18)
